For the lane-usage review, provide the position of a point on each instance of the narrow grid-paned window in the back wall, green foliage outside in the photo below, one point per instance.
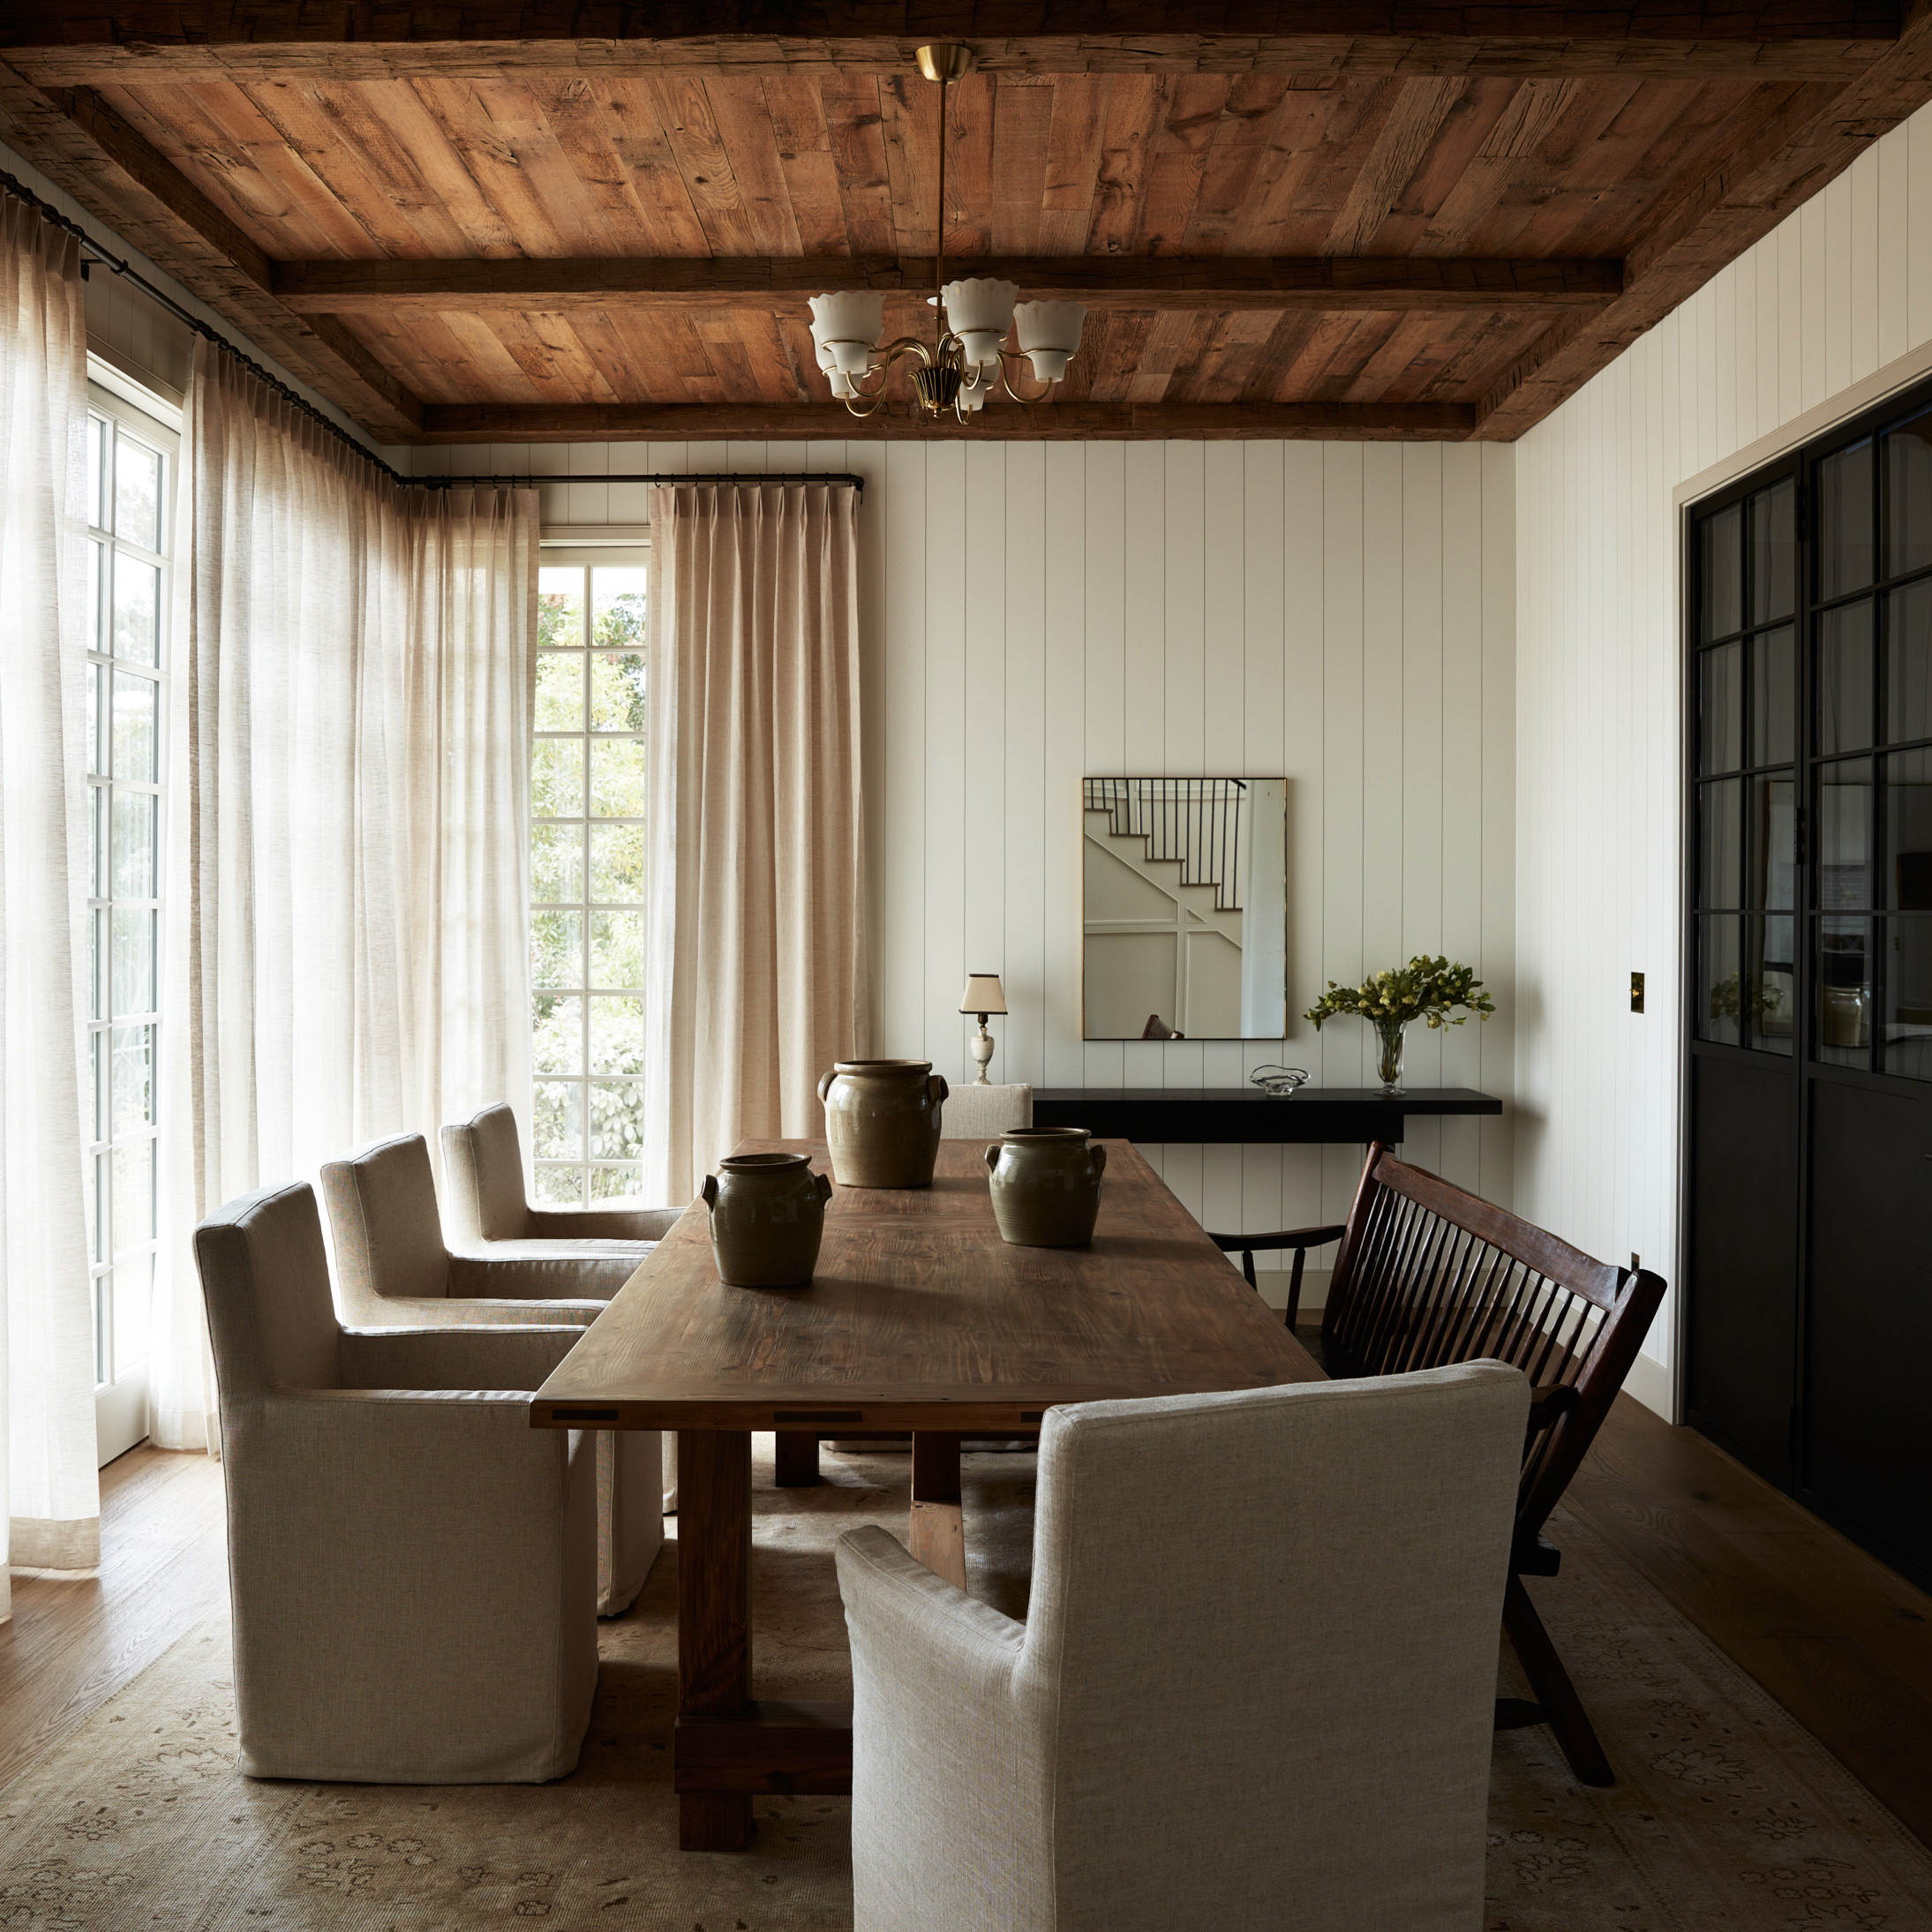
(586, 923)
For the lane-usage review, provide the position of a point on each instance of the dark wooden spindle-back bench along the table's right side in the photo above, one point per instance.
(1431, 1274)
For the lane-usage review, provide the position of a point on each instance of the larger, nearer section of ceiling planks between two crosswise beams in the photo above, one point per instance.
(1065, 165)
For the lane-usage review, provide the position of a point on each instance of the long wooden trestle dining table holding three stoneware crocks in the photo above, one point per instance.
(919, 1321)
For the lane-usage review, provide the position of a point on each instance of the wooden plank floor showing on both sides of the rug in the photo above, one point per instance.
(1836, 1637)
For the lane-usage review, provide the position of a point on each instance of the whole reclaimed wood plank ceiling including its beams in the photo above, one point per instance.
(494, 227)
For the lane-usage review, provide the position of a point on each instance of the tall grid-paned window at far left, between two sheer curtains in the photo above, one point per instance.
(130, 544)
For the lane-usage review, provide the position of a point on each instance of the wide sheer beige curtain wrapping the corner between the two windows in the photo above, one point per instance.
(349, 863)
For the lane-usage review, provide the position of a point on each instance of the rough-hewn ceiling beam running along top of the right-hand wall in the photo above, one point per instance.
(1790, 159)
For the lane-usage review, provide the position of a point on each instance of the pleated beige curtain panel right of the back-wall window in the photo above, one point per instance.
(756, 957)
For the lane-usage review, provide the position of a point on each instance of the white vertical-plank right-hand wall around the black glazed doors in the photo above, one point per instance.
(1798, 327)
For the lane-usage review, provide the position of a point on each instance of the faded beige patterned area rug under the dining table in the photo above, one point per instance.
(1726, 1813)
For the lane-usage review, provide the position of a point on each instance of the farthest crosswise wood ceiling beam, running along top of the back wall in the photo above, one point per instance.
(1060, 422)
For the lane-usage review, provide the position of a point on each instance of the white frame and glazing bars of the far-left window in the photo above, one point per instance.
(121, 1330)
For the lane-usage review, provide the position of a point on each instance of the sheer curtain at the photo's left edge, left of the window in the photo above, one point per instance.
(47, 1357)
